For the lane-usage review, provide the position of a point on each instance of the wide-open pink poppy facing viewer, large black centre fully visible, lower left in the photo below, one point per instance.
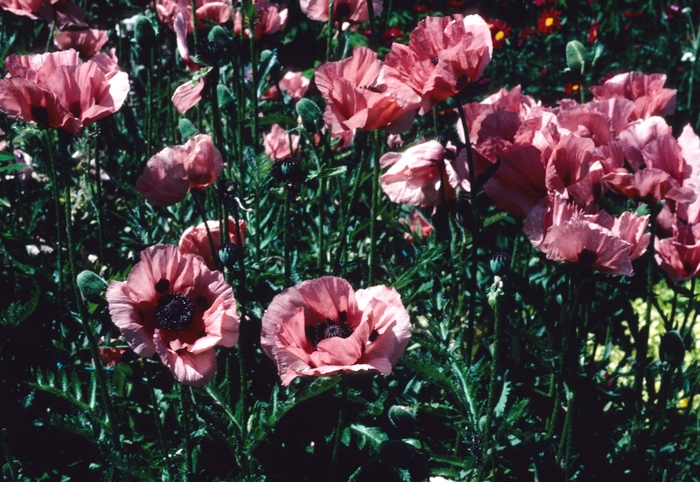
(174, 305)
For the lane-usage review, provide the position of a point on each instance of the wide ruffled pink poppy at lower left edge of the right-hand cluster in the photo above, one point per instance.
(600, 241)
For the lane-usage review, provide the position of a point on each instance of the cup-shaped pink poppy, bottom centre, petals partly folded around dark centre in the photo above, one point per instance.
(323, 327)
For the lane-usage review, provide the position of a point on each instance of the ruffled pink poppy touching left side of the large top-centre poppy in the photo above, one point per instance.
(357, 97)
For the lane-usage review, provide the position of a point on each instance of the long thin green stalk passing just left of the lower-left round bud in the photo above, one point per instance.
(82, 311)
